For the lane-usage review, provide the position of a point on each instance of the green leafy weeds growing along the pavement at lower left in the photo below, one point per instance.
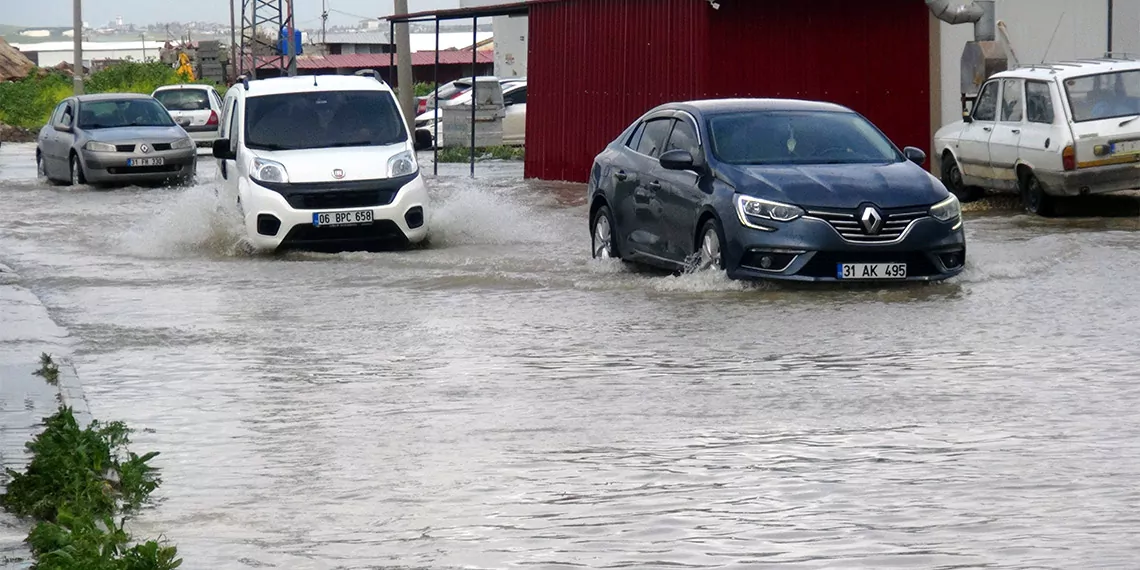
(79, 483)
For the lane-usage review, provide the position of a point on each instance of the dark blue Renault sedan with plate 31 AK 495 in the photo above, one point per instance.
(771, 189)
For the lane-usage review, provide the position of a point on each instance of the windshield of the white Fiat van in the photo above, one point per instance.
(323, 120)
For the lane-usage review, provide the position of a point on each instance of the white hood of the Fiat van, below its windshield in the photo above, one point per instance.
(319, 165)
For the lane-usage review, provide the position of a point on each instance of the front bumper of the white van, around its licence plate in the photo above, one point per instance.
(283, 217)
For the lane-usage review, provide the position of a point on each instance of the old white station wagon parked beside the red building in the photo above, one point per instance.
(1062, 129)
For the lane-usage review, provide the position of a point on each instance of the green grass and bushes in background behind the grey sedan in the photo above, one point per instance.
(30, 102)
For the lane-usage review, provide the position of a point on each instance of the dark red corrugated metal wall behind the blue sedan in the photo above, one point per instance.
(597, 66)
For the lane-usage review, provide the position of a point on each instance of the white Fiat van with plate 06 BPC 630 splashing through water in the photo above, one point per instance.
(321, 161)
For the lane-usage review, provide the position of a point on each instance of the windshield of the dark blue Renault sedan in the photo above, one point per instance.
(813, 137)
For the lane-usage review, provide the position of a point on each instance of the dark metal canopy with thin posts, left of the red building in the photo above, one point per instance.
(437, 17)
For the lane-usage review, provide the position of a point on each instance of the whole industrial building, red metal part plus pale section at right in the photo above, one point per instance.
(597, 66)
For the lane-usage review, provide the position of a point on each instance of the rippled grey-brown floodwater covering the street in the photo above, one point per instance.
(500, 401)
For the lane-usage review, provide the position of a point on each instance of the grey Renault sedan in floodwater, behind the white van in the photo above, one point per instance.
(115, 139)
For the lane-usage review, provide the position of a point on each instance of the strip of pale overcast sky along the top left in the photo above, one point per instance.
(97, 13)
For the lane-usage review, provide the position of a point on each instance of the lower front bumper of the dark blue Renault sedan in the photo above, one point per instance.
(811, 250)
